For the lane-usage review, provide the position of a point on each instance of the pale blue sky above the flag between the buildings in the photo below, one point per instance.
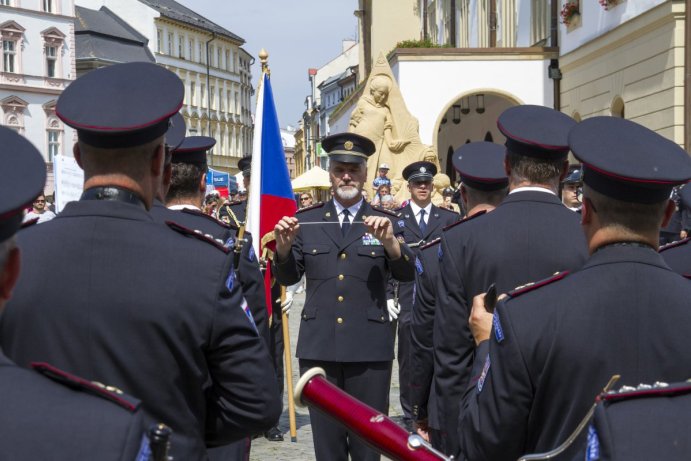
(297, 34)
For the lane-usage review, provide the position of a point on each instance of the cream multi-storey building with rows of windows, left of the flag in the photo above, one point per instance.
(211, 62)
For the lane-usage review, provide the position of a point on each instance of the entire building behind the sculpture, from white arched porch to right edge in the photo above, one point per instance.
(462, 62)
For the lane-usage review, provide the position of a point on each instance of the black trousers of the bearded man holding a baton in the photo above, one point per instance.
(366, 381)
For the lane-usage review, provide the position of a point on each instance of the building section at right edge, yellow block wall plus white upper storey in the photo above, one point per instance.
(628, 59)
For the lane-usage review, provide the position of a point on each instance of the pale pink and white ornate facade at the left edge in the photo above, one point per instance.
(37, 64)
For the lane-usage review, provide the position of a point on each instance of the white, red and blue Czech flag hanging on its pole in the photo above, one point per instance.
(271, 194)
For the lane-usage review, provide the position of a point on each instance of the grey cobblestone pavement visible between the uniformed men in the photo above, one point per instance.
(303, 449)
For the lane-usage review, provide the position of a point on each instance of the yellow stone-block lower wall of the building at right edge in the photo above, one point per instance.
(641, 62)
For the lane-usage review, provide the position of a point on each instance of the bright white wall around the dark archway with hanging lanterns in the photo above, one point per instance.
(429, 88)
